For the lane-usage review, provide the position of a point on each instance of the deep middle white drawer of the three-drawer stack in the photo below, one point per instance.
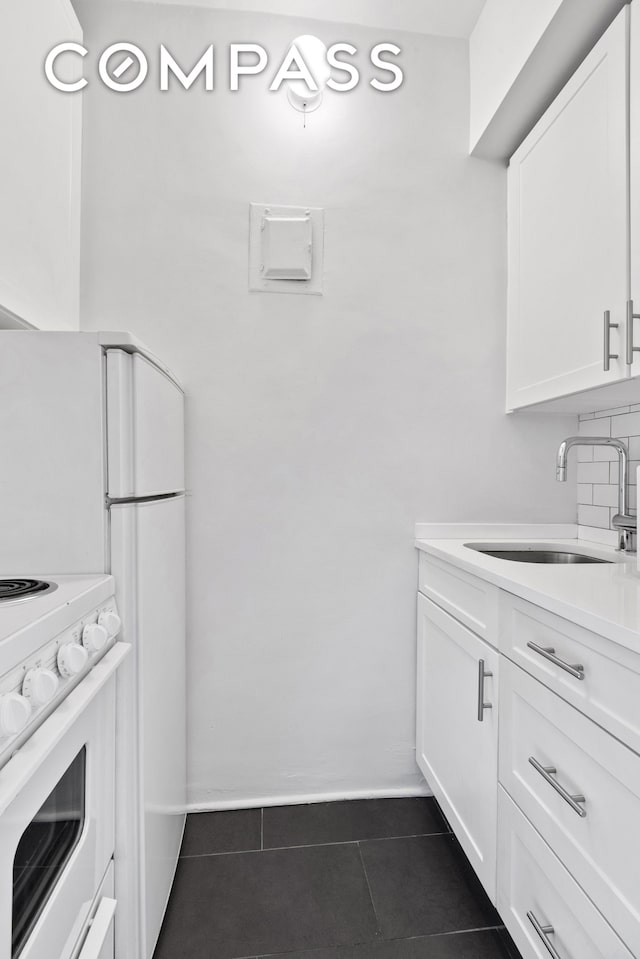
(583, 796)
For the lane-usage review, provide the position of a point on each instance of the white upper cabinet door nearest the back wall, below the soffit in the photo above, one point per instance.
(568, 228)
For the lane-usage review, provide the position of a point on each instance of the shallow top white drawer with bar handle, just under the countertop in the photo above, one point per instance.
(609, 690)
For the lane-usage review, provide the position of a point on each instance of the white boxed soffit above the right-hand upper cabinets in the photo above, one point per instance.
(521, 54)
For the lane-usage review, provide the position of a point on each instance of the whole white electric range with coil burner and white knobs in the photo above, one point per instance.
(58, 660)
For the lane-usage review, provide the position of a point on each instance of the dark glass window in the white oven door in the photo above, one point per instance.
(44, 850)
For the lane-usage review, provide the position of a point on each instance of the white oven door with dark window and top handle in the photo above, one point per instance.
(57, 821)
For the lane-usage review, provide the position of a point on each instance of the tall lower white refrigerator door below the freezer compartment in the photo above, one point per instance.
(148, 561)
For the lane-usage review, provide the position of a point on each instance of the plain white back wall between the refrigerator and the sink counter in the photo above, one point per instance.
(319, 428)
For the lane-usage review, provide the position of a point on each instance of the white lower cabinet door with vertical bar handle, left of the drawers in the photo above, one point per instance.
(457, 732)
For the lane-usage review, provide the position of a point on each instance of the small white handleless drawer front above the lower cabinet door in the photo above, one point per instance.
(468, 598)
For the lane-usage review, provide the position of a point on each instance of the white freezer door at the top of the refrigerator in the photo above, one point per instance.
(145, 428)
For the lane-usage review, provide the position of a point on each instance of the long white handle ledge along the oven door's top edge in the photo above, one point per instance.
(29, 757)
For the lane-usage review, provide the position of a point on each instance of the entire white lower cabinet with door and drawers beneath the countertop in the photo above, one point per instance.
(543, 793)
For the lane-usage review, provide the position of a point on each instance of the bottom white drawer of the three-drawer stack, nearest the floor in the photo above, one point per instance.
(533, 882)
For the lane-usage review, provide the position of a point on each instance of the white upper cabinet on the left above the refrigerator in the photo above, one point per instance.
(39, 169)
